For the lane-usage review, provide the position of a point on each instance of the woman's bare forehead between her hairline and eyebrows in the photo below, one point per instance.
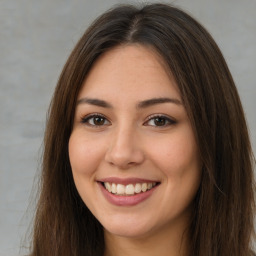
(129, 69)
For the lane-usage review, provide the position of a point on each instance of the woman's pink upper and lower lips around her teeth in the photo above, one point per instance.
(125, 200)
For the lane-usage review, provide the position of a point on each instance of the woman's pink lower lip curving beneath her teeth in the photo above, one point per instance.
(126, 200)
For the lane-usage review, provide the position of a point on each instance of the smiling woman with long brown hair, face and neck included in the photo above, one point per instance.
(146, 147)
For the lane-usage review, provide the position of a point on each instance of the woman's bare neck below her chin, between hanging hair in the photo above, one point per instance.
(169, 242)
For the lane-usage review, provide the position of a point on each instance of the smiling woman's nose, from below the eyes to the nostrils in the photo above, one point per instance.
(124, 150)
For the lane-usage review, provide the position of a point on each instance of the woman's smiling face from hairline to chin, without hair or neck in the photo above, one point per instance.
(132, 150)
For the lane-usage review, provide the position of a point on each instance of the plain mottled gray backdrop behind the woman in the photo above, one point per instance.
(36, 37)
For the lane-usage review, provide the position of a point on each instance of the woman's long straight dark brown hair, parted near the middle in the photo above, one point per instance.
(222, 222)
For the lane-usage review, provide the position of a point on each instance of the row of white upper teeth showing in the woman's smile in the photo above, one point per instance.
(130, 189)
